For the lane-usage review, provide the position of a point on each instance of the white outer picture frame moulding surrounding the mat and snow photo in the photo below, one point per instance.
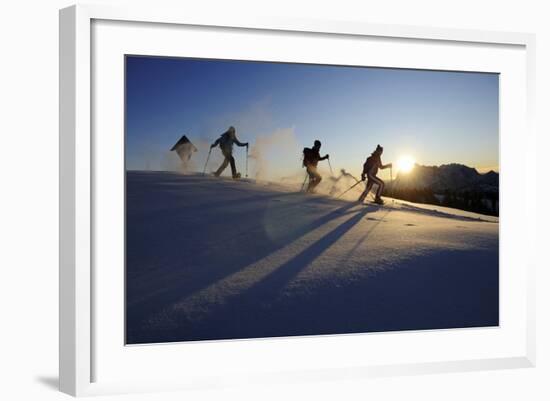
(79, 158)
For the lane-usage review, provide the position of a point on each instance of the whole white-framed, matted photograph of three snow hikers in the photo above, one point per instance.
(272, 200)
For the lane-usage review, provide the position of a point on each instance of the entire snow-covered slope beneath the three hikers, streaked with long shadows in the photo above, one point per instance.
(212, 258)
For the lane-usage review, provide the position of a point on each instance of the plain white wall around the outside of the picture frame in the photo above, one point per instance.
(29, 185)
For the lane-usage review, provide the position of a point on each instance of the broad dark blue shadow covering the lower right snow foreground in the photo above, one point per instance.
(446, 289)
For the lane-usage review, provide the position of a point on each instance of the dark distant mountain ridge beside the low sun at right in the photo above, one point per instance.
(448, 177)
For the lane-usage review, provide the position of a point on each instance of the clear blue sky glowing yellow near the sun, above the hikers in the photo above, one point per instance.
(436, 117)
